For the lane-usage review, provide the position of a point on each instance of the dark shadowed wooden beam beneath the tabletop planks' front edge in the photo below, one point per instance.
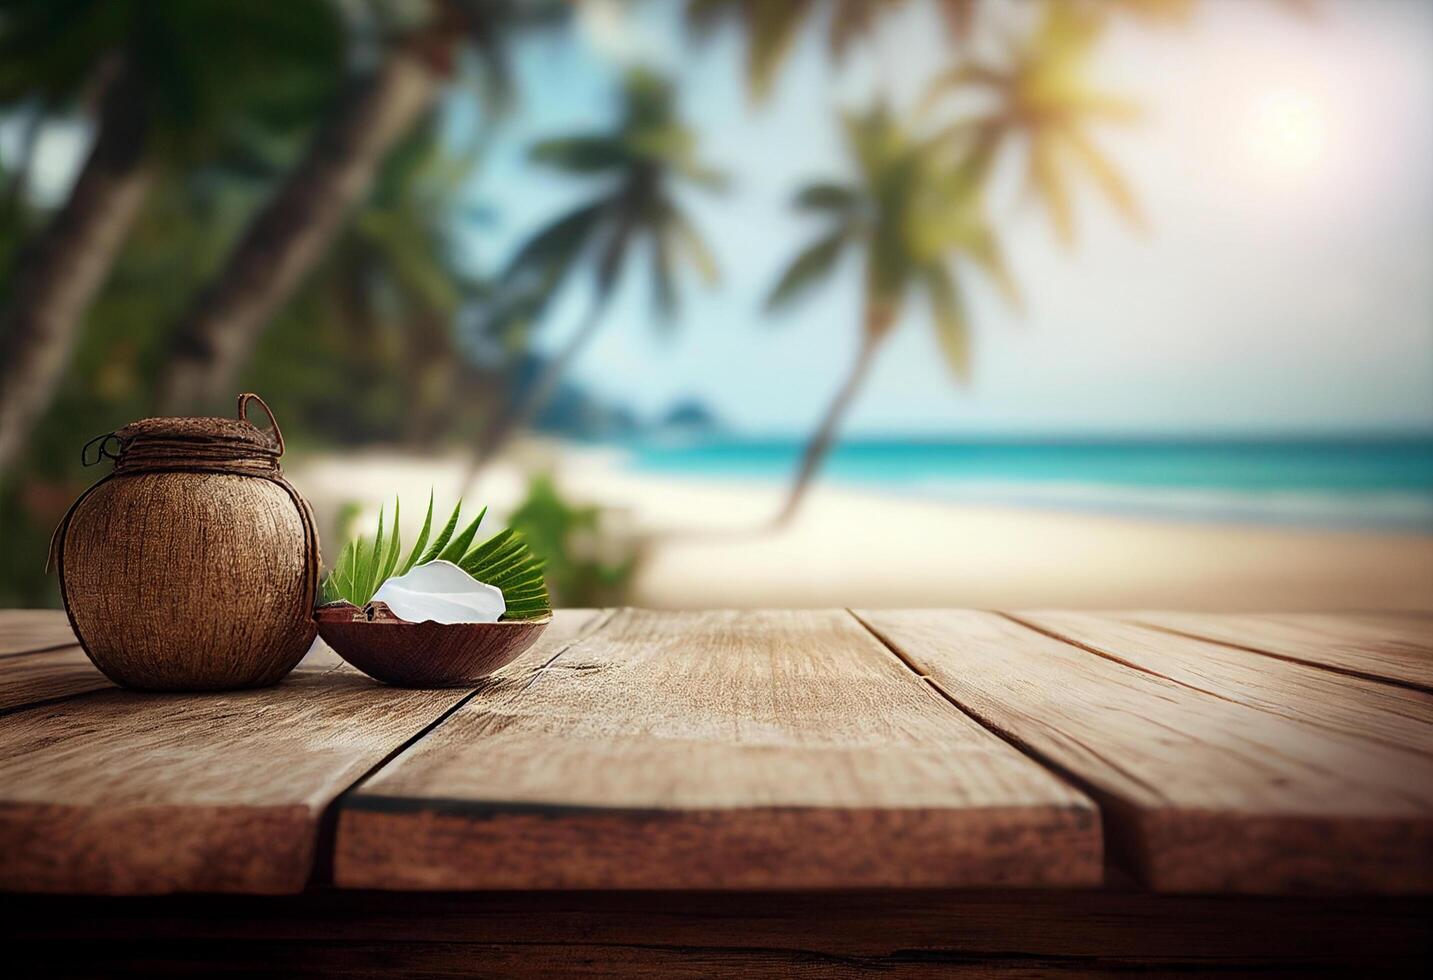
(700, 935)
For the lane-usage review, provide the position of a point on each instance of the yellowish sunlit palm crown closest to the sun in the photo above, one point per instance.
(1045, 102)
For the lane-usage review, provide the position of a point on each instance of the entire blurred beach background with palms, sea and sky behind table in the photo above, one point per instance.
(1067, 303)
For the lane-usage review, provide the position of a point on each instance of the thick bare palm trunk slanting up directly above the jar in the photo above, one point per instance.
(293, 231)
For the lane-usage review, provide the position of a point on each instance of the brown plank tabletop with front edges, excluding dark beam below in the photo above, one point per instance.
(750, 750)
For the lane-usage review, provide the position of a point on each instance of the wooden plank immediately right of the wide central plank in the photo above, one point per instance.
(1280, 840)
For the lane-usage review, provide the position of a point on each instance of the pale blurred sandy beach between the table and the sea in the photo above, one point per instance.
(706, 545)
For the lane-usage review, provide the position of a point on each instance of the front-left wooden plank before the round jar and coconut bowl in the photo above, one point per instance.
(123, 793)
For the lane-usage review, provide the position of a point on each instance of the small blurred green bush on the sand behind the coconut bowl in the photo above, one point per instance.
(588, 564)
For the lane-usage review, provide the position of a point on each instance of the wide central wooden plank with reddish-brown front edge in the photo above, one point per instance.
(716, 750)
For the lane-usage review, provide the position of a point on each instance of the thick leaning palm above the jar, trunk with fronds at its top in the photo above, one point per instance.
(293, 231)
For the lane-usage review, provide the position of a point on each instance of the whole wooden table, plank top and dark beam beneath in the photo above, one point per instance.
(830, 793)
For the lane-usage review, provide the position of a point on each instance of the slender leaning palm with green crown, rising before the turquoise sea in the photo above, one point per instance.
(914, 217)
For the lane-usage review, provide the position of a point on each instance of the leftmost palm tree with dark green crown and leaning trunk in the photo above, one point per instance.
(166, 80)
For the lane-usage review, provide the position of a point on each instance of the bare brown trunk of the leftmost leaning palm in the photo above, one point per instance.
(65, 267)
